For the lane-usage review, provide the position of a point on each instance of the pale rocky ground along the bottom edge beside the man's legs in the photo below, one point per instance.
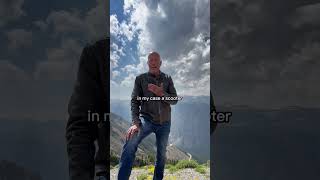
(183, 174)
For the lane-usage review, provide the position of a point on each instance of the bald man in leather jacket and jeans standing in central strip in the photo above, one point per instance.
(156, 116)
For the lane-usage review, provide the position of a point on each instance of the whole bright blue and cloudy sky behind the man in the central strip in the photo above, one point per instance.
(178, 30)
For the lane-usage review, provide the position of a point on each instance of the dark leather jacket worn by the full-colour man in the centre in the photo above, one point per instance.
(157, 111)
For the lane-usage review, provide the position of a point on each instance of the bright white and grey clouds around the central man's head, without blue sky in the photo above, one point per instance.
(179, 31)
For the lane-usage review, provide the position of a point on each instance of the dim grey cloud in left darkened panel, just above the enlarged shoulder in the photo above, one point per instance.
(89, 26)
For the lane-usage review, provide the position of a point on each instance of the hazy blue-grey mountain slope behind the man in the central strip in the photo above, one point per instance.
(189, 125)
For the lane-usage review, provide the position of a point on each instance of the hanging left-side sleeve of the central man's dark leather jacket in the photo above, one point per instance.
(135, 104)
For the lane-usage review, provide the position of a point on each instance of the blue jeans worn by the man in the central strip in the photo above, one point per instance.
(130, 148)
